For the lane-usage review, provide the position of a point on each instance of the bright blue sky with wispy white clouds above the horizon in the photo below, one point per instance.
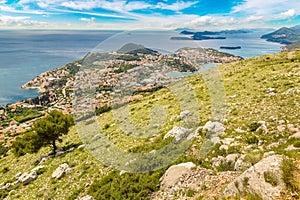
(148, 14)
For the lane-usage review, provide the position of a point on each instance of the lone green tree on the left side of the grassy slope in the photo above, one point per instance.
(51, 128)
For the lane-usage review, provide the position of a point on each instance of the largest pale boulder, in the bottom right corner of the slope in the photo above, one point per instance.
(253, 180)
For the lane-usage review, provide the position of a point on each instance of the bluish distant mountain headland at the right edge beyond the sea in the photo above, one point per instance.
(284, 35)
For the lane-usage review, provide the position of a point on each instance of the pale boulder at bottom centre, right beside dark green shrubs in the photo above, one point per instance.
(174, 173)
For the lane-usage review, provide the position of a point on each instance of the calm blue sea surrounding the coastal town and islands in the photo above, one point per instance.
(25, 54)
